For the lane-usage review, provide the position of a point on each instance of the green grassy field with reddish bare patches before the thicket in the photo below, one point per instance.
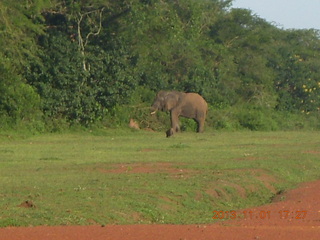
(125, 177)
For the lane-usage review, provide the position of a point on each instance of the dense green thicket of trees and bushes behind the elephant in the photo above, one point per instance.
(77, 62)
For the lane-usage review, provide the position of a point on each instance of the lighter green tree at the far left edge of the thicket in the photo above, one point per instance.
(18, 28)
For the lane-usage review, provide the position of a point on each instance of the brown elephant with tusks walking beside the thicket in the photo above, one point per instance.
(189, 105)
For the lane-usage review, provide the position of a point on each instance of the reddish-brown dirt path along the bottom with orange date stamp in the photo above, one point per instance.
(296, 217)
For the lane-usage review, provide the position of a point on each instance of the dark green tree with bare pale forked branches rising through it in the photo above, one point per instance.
(79, 78)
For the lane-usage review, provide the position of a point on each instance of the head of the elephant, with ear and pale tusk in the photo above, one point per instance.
(165, 101)
